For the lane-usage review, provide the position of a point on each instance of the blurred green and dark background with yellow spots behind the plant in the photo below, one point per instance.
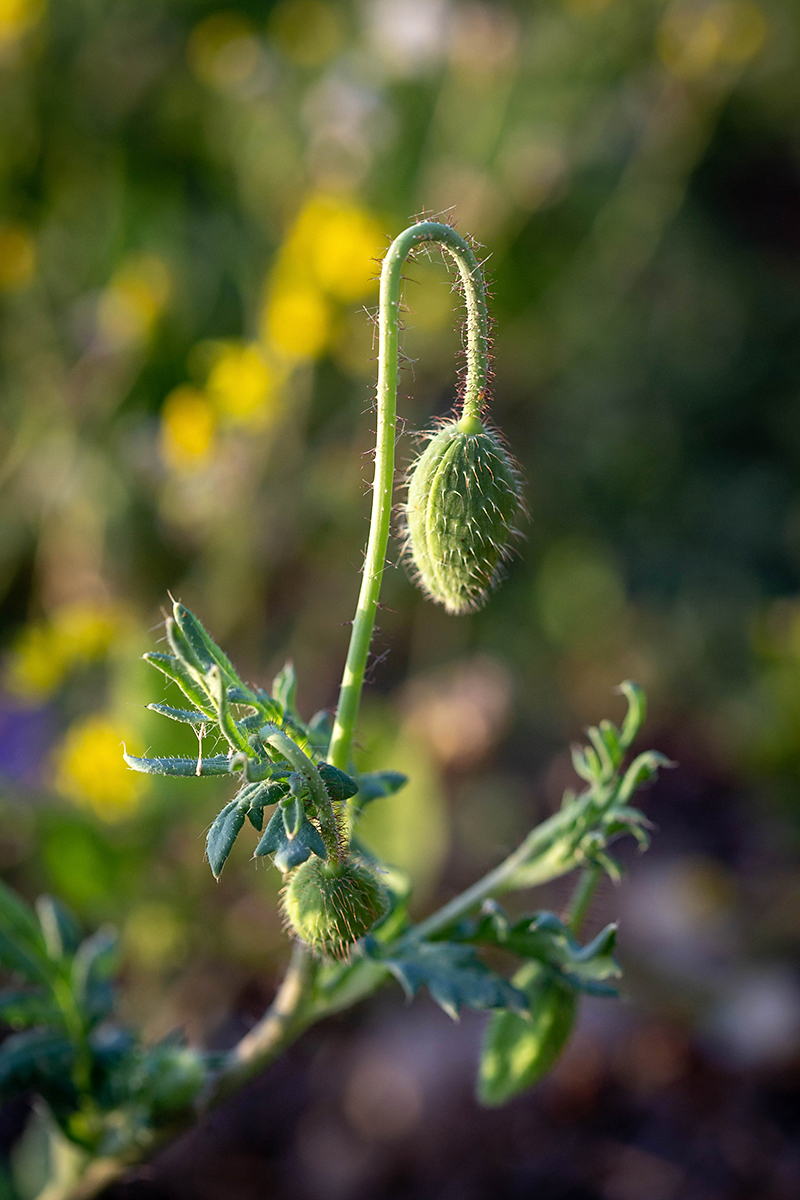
(194, 199)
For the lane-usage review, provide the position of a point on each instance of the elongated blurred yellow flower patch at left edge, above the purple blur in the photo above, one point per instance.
(45, 652)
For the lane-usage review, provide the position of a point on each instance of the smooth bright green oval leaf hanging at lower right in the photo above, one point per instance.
(520, 1051)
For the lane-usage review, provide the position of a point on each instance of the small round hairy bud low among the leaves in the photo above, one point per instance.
(332, 905)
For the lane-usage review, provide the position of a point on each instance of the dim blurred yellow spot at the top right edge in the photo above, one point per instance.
(693, 41)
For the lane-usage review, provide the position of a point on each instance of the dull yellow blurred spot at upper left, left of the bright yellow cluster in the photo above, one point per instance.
(134, 301)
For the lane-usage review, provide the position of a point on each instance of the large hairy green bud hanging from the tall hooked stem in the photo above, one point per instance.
(464, 496)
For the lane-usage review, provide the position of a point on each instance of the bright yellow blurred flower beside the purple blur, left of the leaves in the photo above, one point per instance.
(91, 770)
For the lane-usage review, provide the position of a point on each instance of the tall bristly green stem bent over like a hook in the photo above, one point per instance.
(478, 369)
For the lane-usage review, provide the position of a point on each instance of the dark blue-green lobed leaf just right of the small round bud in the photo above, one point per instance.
(454, 975)
